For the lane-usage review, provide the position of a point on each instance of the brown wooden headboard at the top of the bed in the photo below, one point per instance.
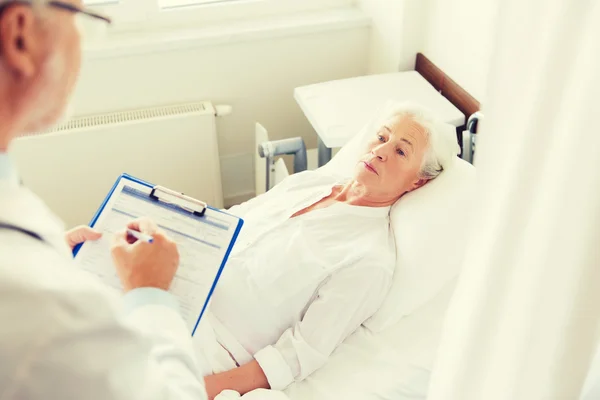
(448, 88)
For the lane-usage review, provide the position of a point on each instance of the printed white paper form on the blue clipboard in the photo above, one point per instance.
(204, 243)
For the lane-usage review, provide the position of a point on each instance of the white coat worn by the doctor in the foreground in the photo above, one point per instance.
(63, 337)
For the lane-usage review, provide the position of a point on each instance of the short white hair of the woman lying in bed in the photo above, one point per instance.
(442, 145)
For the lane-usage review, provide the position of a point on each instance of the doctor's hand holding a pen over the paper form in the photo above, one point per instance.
(142, 264)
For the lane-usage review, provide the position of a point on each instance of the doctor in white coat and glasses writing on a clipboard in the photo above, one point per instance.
(62, 336)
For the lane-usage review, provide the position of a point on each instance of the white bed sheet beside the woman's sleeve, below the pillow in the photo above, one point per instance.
(393, 364)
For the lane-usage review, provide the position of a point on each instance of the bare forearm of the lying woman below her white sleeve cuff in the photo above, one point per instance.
(243, 380)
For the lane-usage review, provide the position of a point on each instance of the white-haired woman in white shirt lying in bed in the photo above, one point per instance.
(315, 258)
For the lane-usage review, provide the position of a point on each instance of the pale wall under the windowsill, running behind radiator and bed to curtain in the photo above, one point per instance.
(257, 76)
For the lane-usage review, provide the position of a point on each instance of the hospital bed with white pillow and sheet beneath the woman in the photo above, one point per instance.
(392, 355)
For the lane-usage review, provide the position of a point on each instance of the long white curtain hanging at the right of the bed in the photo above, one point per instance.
(523, 321)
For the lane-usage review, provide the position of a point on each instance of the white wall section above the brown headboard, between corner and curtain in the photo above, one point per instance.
(459, 40)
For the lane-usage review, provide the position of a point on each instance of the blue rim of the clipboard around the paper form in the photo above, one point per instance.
(151, 186)
